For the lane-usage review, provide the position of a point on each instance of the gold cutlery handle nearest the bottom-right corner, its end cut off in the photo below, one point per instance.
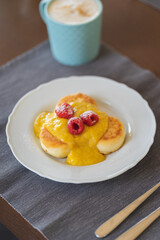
(138, 228)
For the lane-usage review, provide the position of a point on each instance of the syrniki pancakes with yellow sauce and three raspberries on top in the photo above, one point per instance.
(78, 130)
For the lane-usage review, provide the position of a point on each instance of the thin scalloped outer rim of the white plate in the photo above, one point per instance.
(73, 180)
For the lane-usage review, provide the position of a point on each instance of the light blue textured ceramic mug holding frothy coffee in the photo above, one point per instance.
(73, 44)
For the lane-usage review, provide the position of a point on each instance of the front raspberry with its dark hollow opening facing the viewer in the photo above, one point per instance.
(75, 125)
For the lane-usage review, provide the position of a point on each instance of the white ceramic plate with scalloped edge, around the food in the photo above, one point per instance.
(114, 98)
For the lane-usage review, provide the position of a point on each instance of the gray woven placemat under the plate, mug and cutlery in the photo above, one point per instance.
(68, 211)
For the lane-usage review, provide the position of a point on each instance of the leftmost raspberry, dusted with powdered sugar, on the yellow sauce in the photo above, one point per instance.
(64, 111)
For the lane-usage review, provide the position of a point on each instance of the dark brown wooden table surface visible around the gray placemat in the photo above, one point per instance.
(129, 26)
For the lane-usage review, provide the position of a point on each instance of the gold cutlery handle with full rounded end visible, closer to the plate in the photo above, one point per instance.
(108, 226)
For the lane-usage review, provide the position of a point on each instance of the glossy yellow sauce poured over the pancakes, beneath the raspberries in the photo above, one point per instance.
(83, 150)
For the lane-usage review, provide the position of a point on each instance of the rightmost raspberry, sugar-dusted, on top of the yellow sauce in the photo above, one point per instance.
(89, 118)
